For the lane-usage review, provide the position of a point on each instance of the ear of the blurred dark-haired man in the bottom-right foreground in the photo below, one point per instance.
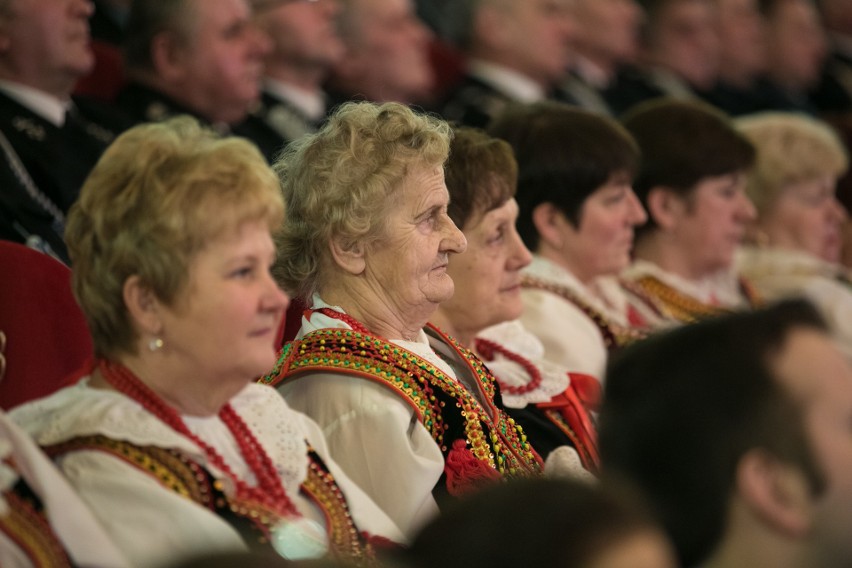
(775, 491)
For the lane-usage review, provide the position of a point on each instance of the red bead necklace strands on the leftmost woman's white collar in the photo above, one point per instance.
(269, 492)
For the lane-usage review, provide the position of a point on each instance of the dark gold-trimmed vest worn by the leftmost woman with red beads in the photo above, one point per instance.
(254, 522)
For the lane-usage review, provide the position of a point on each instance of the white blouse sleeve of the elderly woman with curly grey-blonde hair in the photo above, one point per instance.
(377, 440)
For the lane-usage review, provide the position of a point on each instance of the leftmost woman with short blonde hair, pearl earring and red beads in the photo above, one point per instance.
(169, 441)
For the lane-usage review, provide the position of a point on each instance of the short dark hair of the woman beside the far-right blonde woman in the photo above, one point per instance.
(682, 143)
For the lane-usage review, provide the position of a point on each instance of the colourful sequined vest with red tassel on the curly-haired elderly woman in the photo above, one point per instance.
(479, 444)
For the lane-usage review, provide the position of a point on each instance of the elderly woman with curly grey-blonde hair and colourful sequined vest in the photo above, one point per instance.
(409, 413)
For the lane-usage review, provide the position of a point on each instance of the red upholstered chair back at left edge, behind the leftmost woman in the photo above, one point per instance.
(47, 341)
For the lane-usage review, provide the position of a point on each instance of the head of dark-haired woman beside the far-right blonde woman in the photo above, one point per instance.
(692, 183)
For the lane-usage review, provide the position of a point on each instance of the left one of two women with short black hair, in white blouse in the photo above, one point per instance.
(577, 213)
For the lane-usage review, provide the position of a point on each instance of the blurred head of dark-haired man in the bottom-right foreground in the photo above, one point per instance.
(737, 430)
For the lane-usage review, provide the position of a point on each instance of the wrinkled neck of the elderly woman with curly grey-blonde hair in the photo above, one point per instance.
(377, 313)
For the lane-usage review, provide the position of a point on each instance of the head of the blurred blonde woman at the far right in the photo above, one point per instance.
(793, 183)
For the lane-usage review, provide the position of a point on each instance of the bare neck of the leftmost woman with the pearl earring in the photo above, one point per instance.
(177, 385)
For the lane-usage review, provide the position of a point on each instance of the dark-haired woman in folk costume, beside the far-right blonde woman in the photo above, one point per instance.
(692, 183)
